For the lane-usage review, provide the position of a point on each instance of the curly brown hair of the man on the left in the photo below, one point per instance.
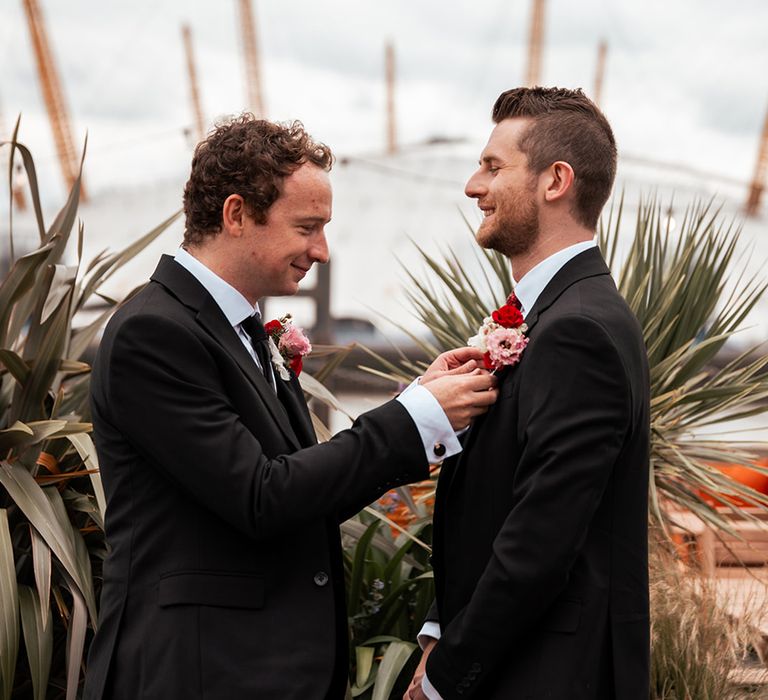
(246, 156)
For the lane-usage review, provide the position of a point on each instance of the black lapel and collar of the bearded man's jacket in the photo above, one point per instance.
(589, 263)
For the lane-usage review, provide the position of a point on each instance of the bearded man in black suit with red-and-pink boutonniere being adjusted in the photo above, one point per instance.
(540, 526)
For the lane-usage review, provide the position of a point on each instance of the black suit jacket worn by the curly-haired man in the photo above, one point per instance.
(224, 576)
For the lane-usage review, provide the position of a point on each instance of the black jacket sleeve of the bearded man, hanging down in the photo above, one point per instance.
(575, 410)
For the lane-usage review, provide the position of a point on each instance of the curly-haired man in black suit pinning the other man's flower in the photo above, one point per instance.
(224, 578)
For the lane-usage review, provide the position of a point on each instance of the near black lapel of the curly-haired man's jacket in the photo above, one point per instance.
(192, 294)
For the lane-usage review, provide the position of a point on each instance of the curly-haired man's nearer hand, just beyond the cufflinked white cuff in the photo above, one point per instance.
(464, 396)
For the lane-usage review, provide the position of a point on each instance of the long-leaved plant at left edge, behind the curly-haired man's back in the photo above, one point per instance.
(51, 500)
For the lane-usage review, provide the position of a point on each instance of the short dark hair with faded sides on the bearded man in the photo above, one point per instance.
(566, 125)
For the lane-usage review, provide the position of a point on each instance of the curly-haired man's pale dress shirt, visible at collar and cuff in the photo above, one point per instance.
(425, 411)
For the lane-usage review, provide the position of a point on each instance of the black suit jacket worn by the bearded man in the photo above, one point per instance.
(540, 539)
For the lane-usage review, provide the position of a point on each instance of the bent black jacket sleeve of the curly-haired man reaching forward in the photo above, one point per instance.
(170, 405)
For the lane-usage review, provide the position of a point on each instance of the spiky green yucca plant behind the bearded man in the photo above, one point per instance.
(690, 301)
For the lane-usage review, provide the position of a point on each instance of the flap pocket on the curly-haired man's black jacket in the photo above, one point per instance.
(216, 589)
